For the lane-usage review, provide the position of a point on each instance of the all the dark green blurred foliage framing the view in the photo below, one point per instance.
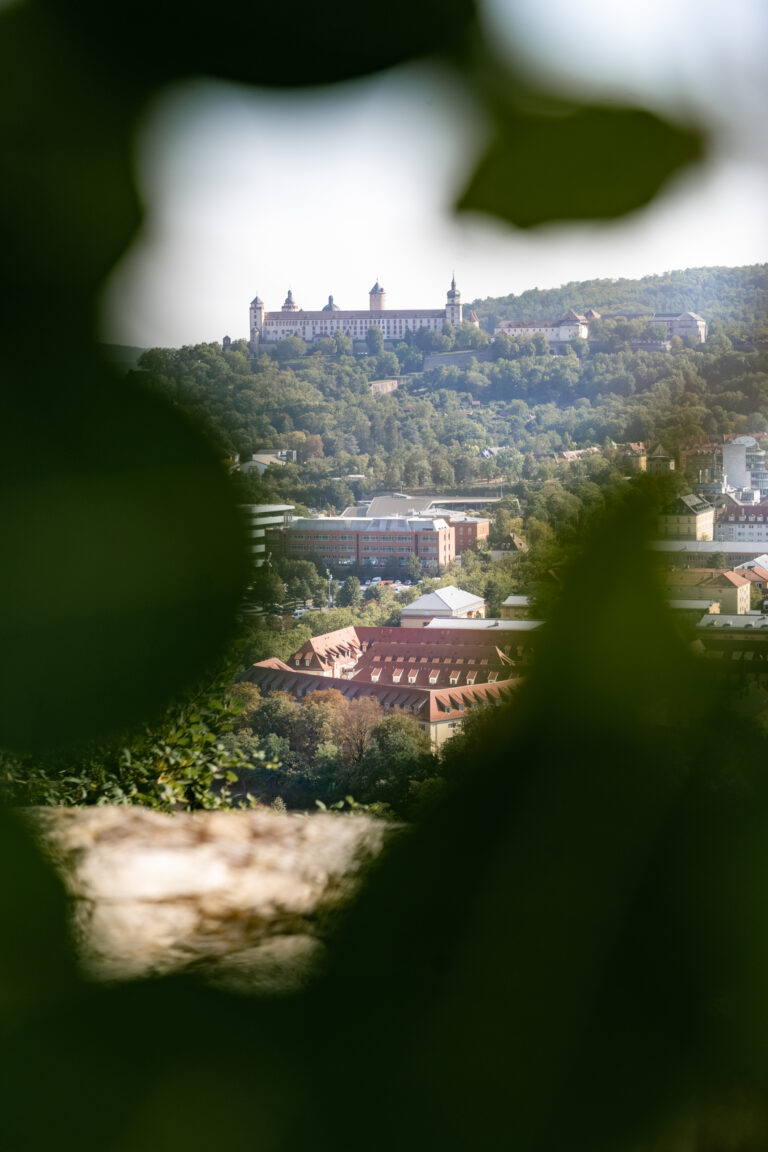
(581, 964)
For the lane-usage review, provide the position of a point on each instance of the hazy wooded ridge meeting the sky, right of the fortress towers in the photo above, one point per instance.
(733, 295)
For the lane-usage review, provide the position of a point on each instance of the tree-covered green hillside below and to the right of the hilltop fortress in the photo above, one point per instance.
(503, 416)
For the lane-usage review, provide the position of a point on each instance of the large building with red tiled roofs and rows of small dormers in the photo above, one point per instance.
(435, 676)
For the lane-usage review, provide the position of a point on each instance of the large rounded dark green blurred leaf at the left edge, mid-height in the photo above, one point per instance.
(125, 558)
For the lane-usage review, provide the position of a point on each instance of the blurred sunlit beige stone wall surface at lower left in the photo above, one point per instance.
(242, 898)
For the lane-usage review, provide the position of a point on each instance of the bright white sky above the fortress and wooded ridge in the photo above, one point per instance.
(255, 192)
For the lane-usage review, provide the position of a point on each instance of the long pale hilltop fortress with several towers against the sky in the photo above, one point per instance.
(292, 321)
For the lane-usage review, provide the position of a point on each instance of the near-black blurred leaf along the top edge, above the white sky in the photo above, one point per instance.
(255, 46)
